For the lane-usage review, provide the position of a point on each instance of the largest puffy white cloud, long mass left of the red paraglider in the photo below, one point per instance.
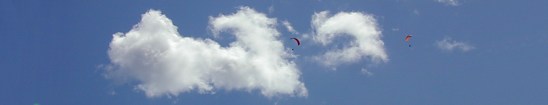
(163, 62)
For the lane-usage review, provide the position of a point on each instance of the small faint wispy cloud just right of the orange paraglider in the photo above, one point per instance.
(448, 44)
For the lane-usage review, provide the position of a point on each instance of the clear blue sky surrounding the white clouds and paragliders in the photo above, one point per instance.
(54, 52)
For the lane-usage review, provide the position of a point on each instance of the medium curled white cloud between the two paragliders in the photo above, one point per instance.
(365, 36)
